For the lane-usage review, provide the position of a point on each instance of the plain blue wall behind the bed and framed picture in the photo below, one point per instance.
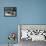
(28, 12)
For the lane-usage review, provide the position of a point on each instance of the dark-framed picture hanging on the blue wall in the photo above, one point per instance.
(10, 11)
